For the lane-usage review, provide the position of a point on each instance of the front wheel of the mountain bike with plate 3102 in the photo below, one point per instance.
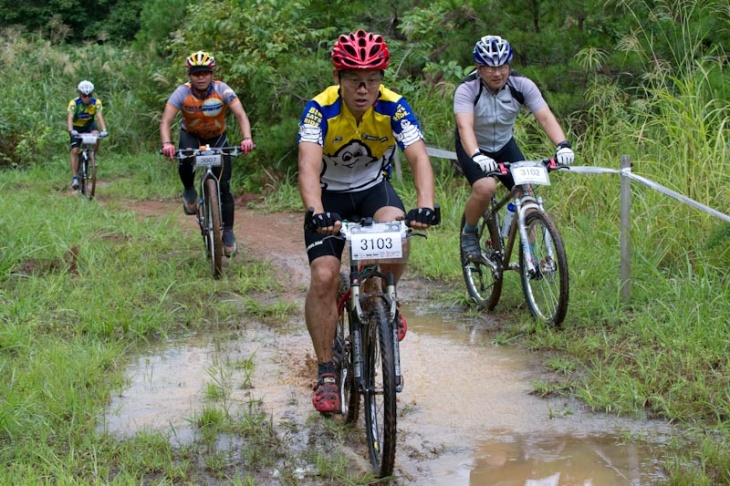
(546, 288)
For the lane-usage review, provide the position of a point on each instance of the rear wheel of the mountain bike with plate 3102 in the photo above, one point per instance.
(483, 284)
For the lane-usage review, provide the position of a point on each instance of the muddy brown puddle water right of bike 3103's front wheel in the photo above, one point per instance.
(500, 434)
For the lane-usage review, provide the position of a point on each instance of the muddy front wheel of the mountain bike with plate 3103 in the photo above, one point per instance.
(379, 395)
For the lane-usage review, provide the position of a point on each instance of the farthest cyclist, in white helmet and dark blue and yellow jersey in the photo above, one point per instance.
(82, 115)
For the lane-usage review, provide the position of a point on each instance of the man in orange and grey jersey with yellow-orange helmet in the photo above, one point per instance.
(203, 103)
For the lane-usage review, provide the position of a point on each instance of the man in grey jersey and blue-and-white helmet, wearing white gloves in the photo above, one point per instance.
(486, 105)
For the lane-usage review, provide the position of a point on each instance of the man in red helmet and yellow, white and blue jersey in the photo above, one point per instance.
(348, 135)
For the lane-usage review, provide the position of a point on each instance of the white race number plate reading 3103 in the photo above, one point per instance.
(381, 241)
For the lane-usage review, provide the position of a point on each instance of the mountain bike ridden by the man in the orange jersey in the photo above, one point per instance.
(210, 212)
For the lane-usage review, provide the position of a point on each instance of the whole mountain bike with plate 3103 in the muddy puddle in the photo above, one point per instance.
(366, 346)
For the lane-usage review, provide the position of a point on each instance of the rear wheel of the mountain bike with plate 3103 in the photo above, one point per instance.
(344, 357)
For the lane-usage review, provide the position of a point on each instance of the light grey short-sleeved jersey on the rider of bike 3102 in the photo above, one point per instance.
(495, 113)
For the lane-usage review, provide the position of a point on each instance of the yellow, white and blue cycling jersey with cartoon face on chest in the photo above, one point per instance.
(354, 155)
